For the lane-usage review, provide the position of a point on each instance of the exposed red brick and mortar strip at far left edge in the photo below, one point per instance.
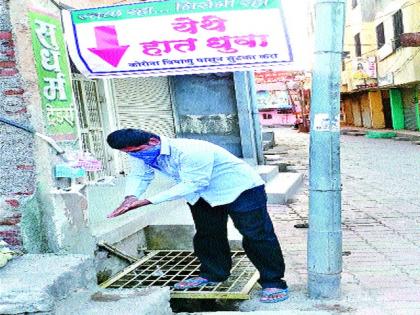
(17, 170)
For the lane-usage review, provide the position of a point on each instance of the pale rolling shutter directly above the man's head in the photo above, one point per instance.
(144, 103)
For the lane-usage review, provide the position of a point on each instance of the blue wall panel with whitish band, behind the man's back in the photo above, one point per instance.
(206, 109)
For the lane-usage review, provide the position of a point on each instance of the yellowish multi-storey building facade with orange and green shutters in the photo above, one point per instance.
(381, 75)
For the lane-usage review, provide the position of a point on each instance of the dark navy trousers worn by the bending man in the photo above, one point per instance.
(249, 215)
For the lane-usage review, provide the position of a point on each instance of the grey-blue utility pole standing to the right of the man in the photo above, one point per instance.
(324, 235)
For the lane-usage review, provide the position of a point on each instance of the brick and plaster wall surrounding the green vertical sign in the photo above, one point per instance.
(34, 215)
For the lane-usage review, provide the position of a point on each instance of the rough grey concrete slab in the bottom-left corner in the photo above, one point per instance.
(33, 283)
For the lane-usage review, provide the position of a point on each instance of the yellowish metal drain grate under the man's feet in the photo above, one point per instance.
(167, 267)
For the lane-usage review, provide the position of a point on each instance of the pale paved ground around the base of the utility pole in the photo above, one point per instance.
(381, 228)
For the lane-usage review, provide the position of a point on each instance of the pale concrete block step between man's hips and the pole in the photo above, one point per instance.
(282, 187)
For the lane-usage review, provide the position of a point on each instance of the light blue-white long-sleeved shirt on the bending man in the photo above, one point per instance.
(199, 169)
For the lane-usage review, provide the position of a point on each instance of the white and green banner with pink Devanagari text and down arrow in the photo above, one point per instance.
(177, 37)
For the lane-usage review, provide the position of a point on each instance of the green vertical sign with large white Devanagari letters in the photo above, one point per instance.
(54, 82)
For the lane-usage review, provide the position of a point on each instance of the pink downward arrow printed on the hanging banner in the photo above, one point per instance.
(107, 46)
